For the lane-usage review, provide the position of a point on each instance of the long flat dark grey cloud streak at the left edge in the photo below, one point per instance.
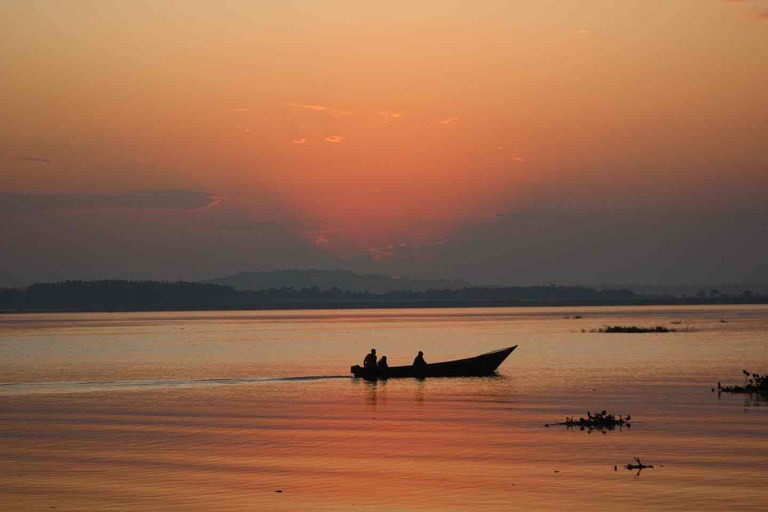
(145, 199)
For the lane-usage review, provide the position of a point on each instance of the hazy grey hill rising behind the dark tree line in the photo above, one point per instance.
(329, 279)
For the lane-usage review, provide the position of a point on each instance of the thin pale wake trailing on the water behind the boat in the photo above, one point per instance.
(29, 388)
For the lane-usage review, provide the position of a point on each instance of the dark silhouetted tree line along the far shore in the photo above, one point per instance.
(123, 295)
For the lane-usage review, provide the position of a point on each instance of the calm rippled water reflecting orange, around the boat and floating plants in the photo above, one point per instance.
(217, 411)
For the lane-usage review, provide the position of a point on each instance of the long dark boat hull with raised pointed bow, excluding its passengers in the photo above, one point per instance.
(484, 364)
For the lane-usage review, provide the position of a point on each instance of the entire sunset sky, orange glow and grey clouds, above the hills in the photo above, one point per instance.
(508, 142)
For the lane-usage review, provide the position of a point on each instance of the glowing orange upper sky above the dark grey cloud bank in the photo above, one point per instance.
(388, 125)
